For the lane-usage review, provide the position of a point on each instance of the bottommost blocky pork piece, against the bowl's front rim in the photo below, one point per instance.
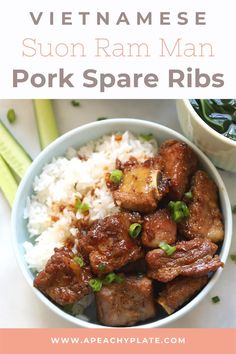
(126, 303)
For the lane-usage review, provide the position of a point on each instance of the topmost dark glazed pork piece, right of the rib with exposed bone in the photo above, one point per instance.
(180, 163)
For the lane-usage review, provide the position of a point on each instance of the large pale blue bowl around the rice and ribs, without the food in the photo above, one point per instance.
(79, 137)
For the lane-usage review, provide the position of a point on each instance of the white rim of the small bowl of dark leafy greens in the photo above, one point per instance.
(204, 125)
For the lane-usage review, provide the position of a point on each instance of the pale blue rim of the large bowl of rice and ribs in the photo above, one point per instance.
(112, 122)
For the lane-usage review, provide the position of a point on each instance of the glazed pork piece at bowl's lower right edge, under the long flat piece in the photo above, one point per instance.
(178, 291)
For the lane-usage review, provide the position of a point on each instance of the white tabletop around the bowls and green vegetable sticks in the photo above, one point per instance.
(19, 306)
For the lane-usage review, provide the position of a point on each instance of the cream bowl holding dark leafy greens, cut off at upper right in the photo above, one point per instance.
(221, 150)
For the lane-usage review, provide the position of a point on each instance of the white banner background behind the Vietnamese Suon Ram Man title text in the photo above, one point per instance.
(15, 25)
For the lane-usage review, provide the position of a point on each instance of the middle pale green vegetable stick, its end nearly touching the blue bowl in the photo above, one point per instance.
(13, 153)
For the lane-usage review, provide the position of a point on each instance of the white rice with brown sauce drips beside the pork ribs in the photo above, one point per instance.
(68, 178)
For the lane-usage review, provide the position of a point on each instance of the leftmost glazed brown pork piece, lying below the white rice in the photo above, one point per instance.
(63, 280)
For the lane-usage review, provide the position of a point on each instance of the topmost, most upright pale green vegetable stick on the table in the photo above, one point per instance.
(46, 122)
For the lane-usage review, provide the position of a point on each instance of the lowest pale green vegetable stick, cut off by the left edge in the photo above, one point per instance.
(8, 183)
